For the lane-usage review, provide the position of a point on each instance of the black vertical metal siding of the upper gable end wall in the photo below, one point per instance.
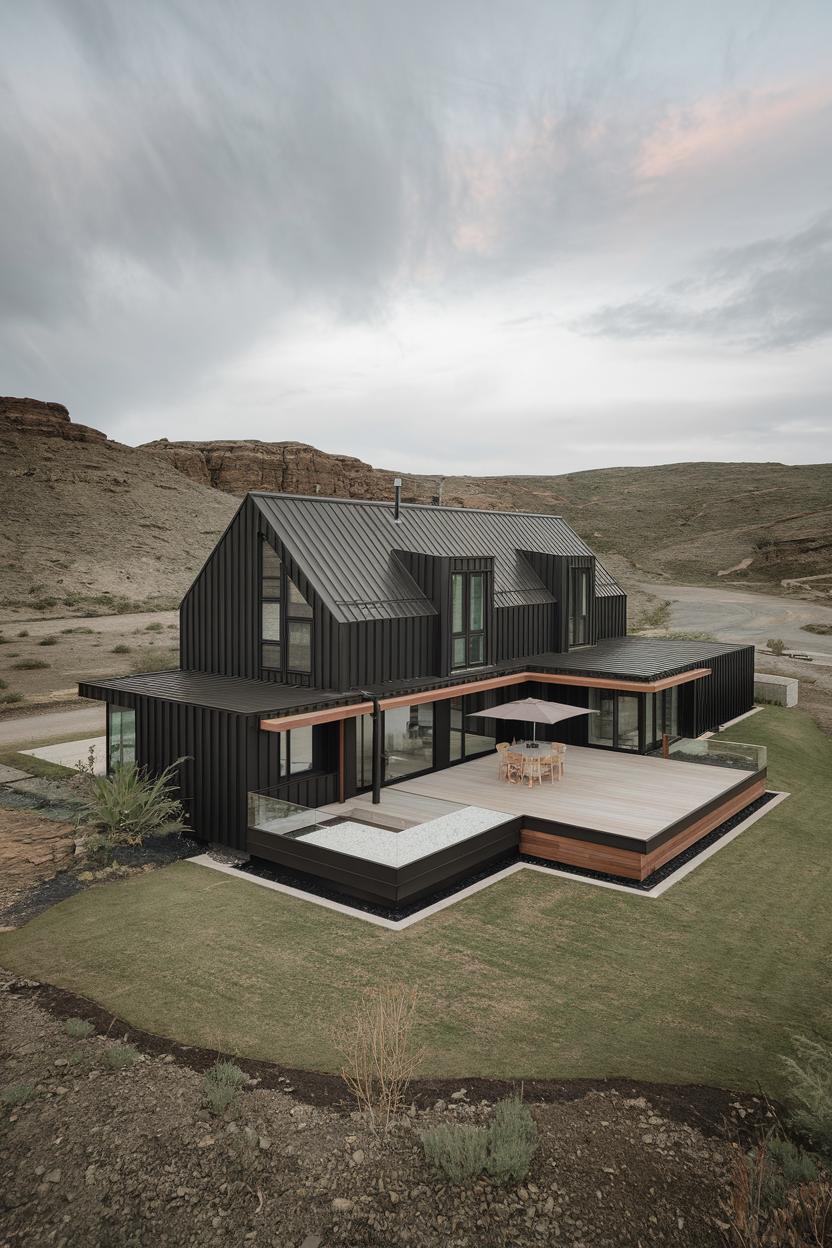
(220, 616)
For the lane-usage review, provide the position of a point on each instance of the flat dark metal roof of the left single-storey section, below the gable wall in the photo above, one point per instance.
(236, 695)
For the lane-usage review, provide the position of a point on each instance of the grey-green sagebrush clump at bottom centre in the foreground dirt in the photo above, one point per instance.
(505, 1149)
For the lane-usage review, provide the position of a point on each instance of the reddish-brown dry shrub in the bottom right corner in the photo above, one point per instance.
(803, 1220)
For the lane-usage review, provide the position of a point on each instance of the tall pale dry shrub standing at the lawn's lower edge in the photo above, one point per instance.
(380, 1058)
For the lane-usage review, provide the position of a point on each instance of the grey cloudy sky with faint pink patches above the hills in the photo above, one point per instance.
(443, 235)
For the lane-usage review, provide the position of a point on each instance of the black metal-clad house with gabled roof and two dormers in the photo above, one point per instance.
(331, 646)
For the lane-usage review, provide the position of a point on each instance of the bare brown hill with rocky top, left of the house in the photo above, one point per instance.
(85, 517)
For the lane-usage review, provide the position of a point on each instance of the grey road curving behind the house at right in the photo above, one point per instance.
(742, 616)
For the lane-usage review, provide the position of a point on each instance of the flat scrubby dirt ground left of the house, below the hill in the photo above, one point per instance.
(83, 650)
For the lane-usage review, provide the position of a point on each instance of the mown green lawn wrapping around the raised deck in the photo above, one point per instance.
(535, 977)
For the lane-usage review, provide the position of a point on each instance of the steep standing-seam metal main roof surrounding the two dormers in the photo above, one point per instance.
(347, 551)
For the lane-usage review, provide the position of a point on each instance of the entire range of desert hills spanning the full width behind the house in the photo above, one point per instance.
(85, 517)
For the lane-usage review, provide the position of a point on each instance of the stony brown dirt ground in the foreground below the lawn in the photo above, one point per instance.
(132, 1158)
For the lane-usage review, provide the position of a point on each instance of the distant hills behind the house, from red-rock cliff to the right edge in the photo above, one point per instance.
(713, 524)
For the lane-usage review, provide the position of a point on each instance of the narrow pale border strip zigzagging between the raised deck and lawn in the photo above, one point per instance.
(401, 925)
